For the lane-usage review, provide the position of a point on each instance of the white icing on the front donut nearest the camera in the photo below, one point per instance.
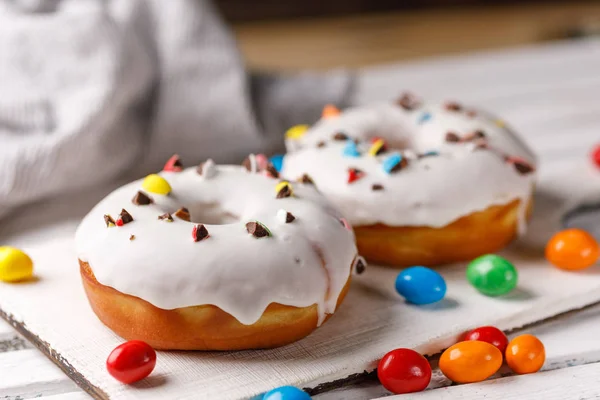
(231, 269)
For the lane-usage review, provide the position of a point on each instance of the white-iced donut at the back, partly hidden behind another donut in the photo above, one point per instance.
(422, 184)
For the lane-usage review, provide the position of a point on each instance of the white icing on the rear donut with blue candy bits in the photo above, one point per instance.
(431, 191)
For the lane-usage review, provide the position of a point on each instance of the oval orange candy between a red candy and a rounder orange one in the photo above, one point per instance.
(471, 361)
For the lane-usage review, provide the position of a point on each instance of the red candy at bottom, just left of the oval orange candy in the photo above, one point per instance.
(404, 371)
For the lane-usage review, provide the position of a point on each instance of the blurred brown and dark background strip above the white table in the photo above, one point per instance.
(291, 35)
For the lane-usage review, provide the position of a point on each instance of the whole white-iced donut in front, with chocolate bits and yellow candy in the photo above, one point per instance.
(215, 258)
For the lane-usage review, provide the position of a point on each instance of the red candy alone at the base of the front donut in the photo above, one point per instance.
(131, 361)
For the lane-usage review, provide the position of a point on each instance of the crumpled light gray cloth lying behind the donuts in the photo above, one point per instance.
(93, 90)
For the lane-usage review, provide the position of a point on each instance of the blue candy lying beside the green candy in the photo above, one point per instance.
(420, 285)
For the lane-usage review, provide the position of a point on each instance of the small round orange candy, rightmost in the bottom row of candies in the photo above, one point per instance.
(525, 354)
